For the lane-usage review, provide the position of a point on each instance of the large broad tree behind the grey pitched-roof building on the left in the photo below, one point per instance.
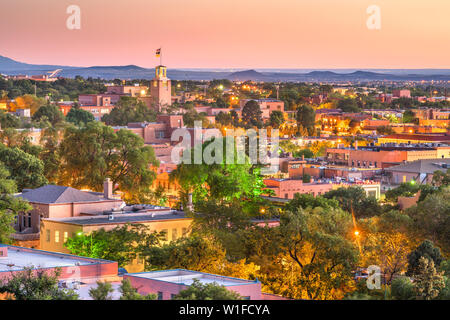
(92, 153)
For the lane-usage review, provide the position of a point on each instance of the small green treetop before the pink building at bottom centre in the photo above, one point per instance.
(206, 291)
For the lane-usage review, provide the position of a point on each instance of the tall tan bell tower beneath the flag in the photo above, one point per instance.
(161, 89)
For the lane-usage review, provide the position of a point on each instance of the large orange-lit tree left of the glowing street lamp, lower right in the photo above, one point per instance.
(316, 241)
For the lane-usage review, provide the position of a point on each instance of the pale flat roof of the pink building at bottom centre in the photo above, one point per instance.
(186, 277)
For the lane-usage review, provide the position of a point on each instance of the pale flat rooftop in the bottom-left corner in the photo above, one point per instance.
(19, 258)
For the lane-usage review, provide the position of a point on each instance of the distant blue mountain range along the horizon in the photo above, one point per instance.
(11, 67)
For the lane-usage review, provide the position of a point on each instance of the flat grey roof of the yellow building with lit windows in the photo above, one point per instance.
(119, 218)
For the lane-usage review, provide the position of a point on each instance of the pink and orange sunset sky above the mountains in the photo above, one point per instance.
(229, 33)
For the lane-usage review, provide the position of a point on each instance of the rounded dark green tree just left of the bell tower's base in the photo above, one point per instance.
(129, 109)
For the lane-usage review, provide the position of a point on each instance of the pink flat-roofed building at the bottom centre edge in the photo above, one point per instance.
(168, 283)
